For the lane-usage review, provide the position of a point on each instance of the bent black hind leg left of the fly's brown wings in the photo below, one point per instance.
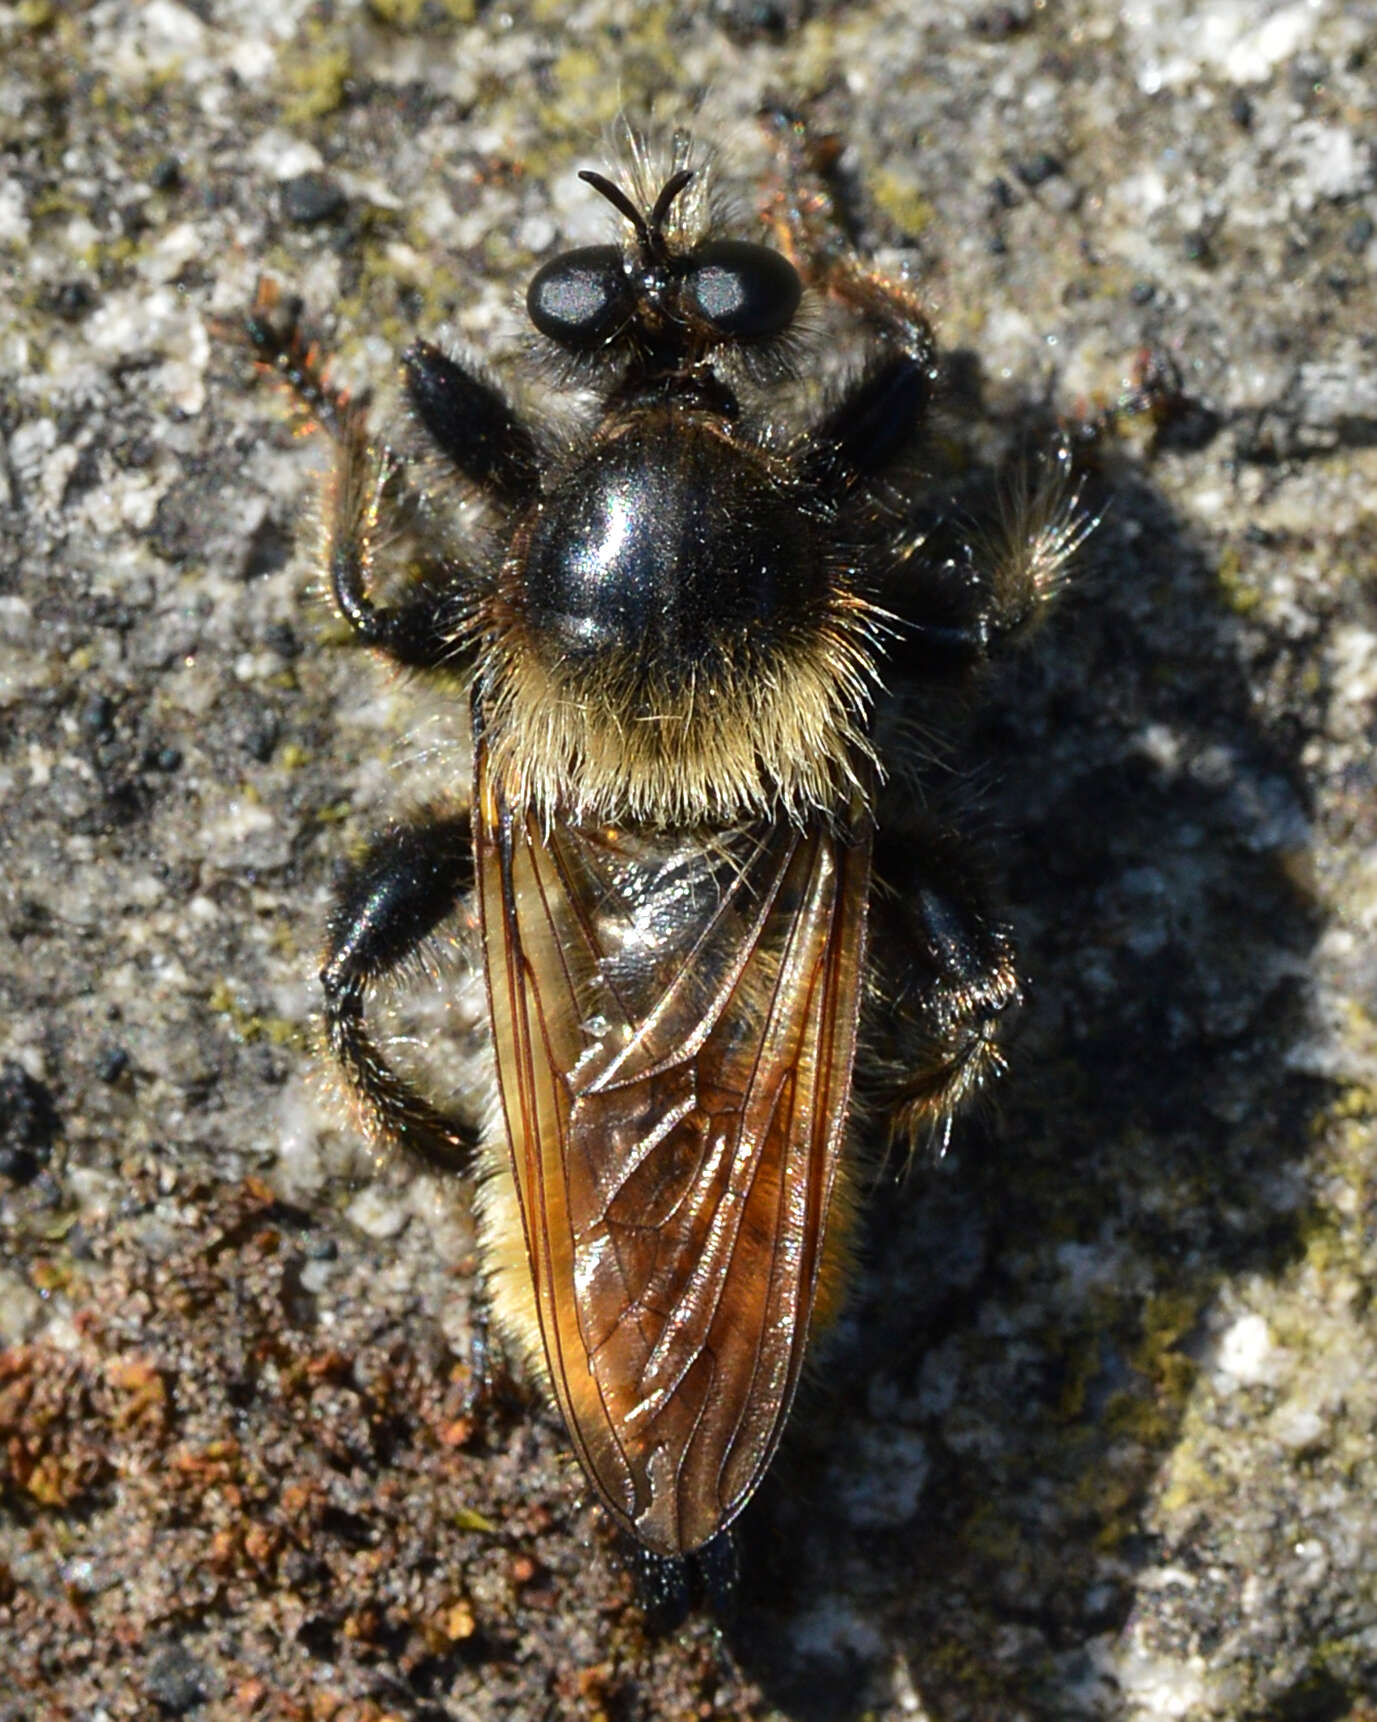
(386, 908)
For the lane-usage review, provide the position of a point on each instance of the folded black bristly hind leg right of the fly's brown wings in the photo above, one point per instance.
(942, 984)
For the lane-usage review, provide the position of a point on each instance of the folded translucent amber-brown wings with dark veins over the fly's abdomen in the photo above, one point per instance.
(676, 1027)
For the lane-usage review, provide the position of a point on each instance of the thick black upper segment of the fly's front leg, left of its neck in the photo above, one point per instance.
(472, 424)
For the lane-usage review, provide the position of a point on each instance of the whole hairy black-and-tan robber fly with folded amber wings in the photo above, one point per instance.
(696, 888)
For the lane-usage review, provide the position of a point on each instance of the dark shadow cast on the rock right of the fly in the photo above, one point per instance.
(961, 1494)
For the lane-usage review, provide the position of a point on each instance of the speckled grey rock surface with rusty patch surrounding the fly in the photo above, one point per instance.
(1096, 1439)
